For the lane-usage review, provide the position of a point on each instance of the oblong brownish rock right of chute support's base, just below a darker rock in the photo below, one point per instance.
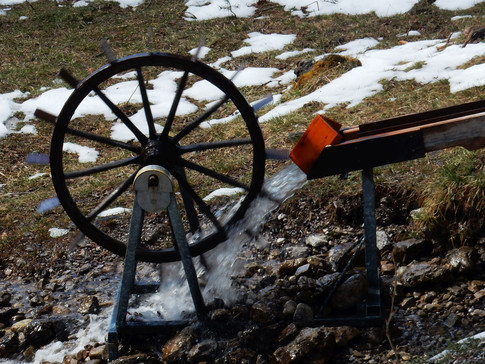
(417, 274)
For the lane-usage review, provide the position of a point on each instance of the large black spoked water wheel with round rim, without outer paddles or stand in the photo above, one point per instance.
(165, 132)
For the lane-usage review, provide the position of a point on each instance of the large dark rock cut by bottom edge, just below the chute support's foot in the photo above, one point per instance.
(312, 345)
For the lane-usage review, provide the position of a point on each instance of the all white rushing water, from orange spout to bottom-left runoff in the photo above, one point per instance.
(173, 299)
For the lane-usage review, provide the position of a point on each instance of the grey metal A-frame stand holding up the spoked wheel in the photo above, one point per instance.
(163, 197)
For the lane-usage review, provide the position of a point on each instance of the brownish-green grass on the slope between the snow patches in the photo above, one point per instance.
(33, 50)
